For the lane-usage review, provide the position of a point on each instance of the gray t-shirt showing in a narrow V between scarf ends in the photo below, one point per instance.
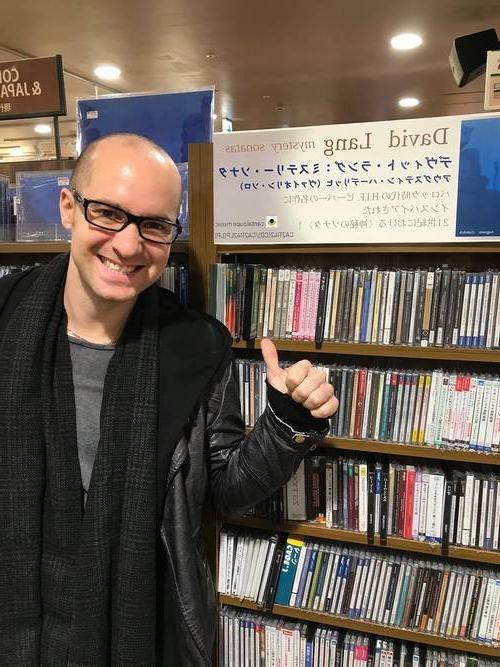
(90, 363)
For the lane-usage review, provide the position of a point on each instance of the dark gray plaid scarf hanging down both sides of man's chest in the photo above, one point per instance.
(75, 588)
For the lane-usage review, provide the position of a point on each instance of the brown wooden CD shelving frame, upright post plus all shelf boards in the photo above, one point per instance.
(468, 255)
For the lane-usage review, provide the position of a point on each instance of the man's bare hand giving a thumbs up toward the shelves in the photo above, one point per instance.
(305, 384)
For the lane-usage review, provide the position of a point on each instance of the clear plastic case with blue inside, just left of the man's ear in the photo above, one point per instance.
(37, 210)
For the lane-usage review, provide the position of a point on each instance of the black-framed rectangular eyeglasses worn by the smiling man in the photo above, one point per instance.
(114, 219)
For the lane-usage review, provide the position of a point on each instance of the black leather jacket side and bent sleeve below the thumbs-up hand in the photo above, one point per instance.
(213, 456)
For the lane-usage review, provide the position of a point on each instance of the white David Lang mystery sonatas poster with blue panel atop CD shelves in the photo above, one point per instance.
(427, 180)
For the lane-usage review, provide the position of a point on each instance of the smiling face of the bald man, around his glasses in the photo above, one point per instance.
(118, 266)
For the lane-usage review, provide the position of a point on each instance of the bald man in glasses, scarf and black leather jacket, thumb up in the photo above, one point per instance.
(120, 416)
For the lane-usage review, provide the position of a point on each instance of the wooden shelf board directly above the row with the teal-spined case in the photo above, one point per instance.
(311, 529)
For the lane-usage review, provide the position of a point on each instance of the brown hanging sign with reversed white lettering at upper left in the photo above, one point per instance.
(32, 88)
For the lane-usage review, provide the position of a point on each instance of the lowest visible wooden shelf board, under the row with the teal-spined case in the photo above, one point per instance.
(369, 627)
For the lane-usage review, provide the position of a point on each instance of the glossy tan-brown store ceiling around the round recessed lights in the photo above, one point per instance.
(300, 62)
